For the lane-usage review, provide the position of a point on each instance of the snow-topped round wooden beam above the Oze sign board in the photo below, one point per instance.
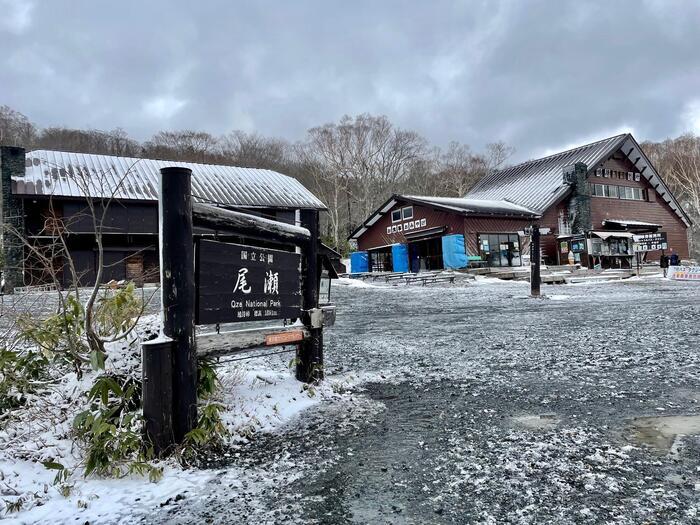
(246, 225)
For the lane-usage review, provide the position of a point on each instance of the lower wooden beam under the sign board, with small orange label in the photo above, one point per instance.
(224, 343)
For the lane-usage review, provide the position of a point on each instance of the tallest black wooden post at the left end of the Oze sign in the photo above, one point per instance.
(178, 292)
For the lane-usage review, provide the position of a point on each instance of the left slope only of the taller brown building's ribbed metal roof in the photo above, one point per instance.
(537, 184)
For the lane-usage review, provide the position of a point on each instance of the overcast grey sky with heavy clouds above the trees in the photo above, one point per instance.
(540, 75)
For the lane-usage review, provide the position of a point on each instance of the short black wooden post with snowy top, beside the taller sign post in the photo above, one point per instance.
(157, 374)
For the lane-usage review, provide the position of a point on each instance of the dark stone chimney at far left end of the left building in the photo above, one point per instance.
(12, 164)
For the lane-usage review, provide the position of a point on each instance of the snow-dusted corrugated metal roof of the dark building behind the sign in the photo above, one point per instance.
(56, 173)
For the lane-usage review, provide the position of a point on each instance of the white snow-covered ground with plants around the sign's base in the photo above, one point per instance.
(260, 395)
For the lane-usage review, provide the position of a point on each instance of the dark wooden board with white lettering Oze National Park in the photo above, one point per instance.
(237, 283)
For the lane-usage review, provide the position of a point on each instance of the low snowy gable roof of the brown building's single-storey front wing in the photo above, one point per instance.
(460, 205)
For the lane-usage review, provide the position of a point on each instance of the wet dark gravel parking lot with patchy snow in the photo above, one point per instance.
(479, 404)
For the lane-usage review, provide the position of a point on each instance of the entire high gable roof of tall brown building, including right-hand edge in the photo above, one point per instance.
(539, 183)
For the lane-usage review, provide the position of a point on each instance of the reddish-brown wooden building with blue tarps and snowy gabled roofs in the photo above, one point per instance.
(594, 199)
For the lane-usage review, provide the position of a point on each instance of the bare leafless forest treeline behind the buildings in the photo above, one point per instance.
(352, 165)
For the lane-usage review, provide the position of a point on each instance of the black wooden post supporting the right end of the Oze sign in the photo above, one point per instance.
(310, 352)
